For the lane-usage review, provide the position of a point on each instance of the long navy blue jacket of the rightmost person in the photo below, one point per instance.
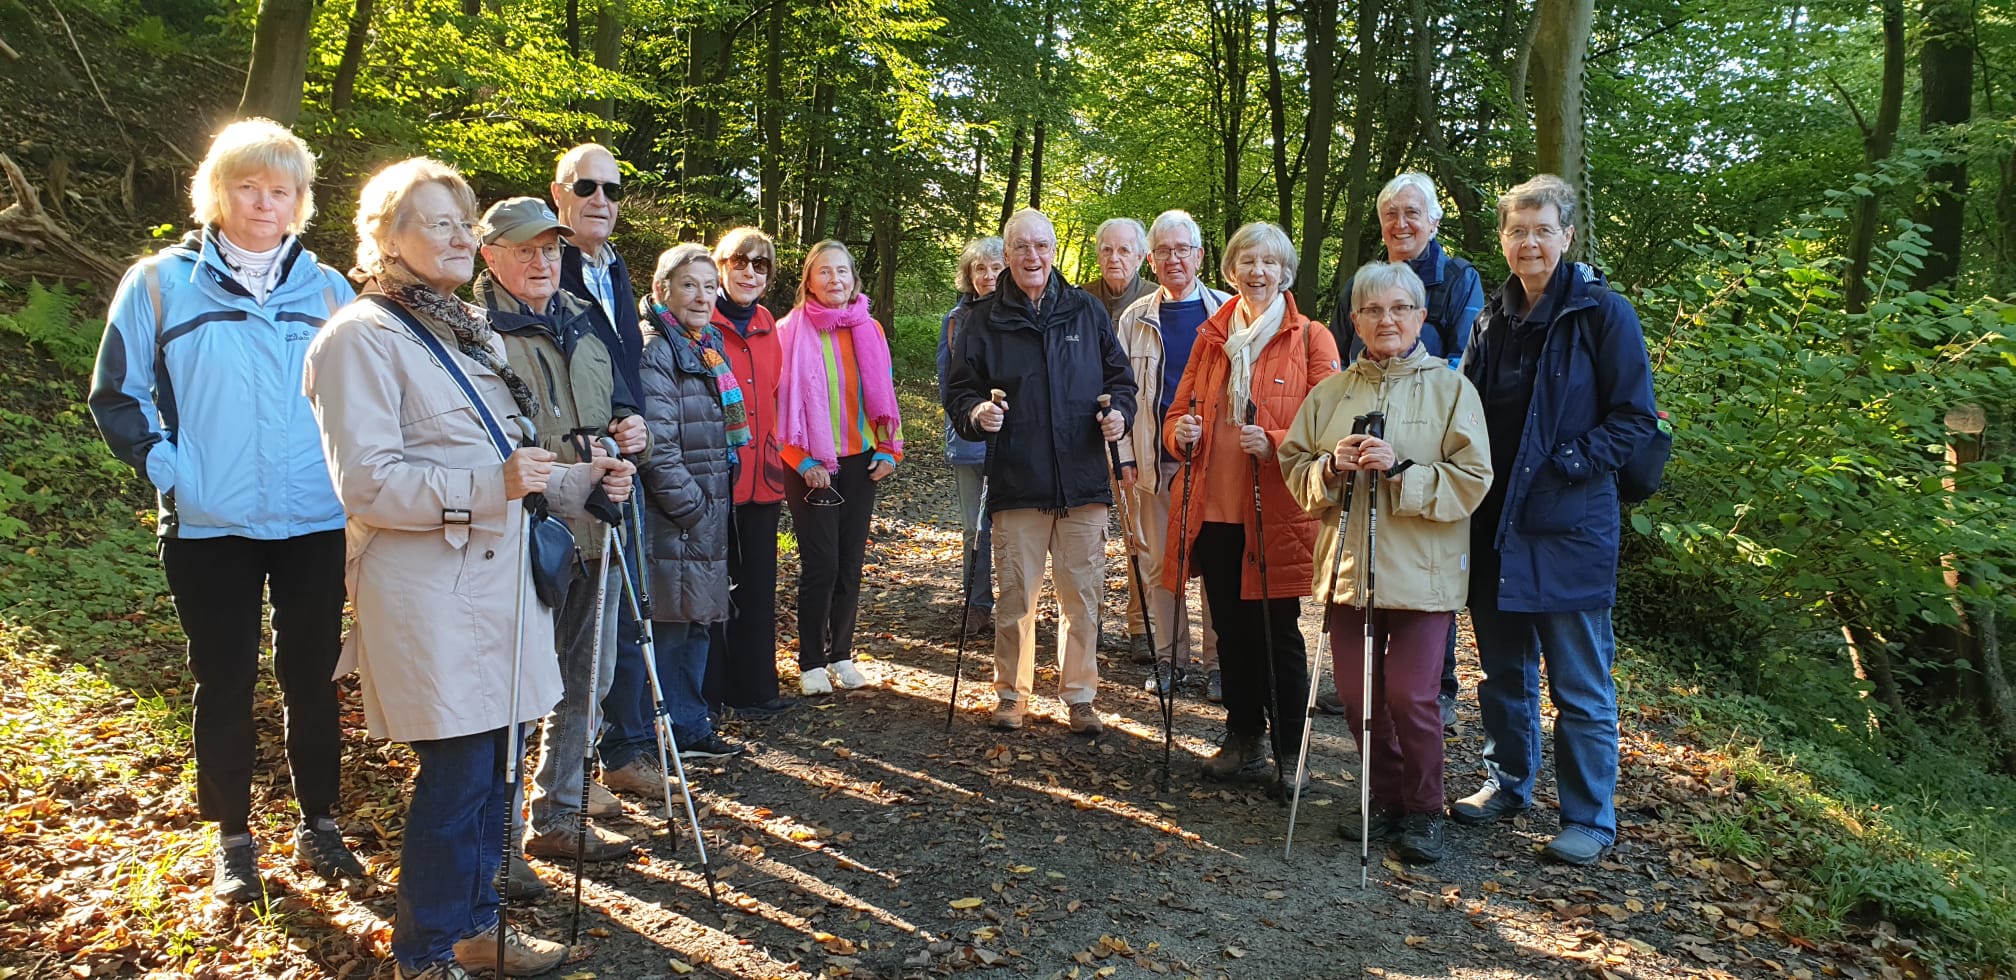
(1592, 408)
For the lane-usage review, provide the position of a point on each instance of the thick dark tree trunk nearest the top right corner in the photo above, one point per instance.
(1946, 80)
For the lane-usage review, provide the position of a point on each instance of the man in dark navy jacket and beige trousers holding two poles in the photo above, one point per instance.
(1051, 350)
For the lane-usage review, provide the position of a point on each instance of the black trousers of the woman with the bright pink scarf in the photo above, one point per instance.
(832, 547)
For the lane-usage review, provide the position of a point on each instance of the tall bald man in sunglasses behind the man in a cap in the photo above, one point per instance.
(588, 189)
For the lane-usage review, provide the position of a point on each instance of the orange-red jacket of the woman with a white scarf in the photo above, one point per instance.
(1291, 364)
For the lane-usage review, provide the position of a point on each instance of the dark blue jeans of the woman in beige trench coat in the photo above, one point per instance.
(453, 848)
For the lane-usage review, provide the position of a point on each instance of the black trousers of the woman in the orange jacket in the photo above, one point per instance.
(1241, 628)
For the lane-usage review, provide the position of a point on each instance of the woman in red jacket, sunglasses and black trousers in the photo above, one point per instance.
(743, 660)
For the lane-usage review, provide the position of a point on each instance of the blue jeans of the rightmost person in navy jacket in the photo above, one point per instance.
(1580, 652)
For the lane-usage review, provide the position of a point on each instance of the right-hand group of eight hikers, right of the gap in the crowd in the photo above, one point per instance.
(1463, 455)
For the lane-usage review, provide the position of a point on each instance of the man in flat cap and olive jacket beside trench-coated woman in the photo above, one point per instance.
(557, 346)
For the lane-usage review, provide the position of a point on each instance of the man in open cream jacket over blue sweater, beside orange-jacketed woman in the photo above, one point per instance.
(1158, 334)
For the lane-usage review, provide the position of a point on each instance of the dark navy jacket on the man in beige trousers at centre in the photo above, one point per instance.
(1053, 364)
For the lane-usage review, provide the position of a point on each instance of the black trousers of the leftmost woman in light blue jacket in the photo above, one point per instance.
(221, 596)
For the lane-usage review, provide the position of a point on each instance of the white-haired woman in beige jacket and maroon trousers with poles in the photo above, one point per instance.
(1426, 473)
